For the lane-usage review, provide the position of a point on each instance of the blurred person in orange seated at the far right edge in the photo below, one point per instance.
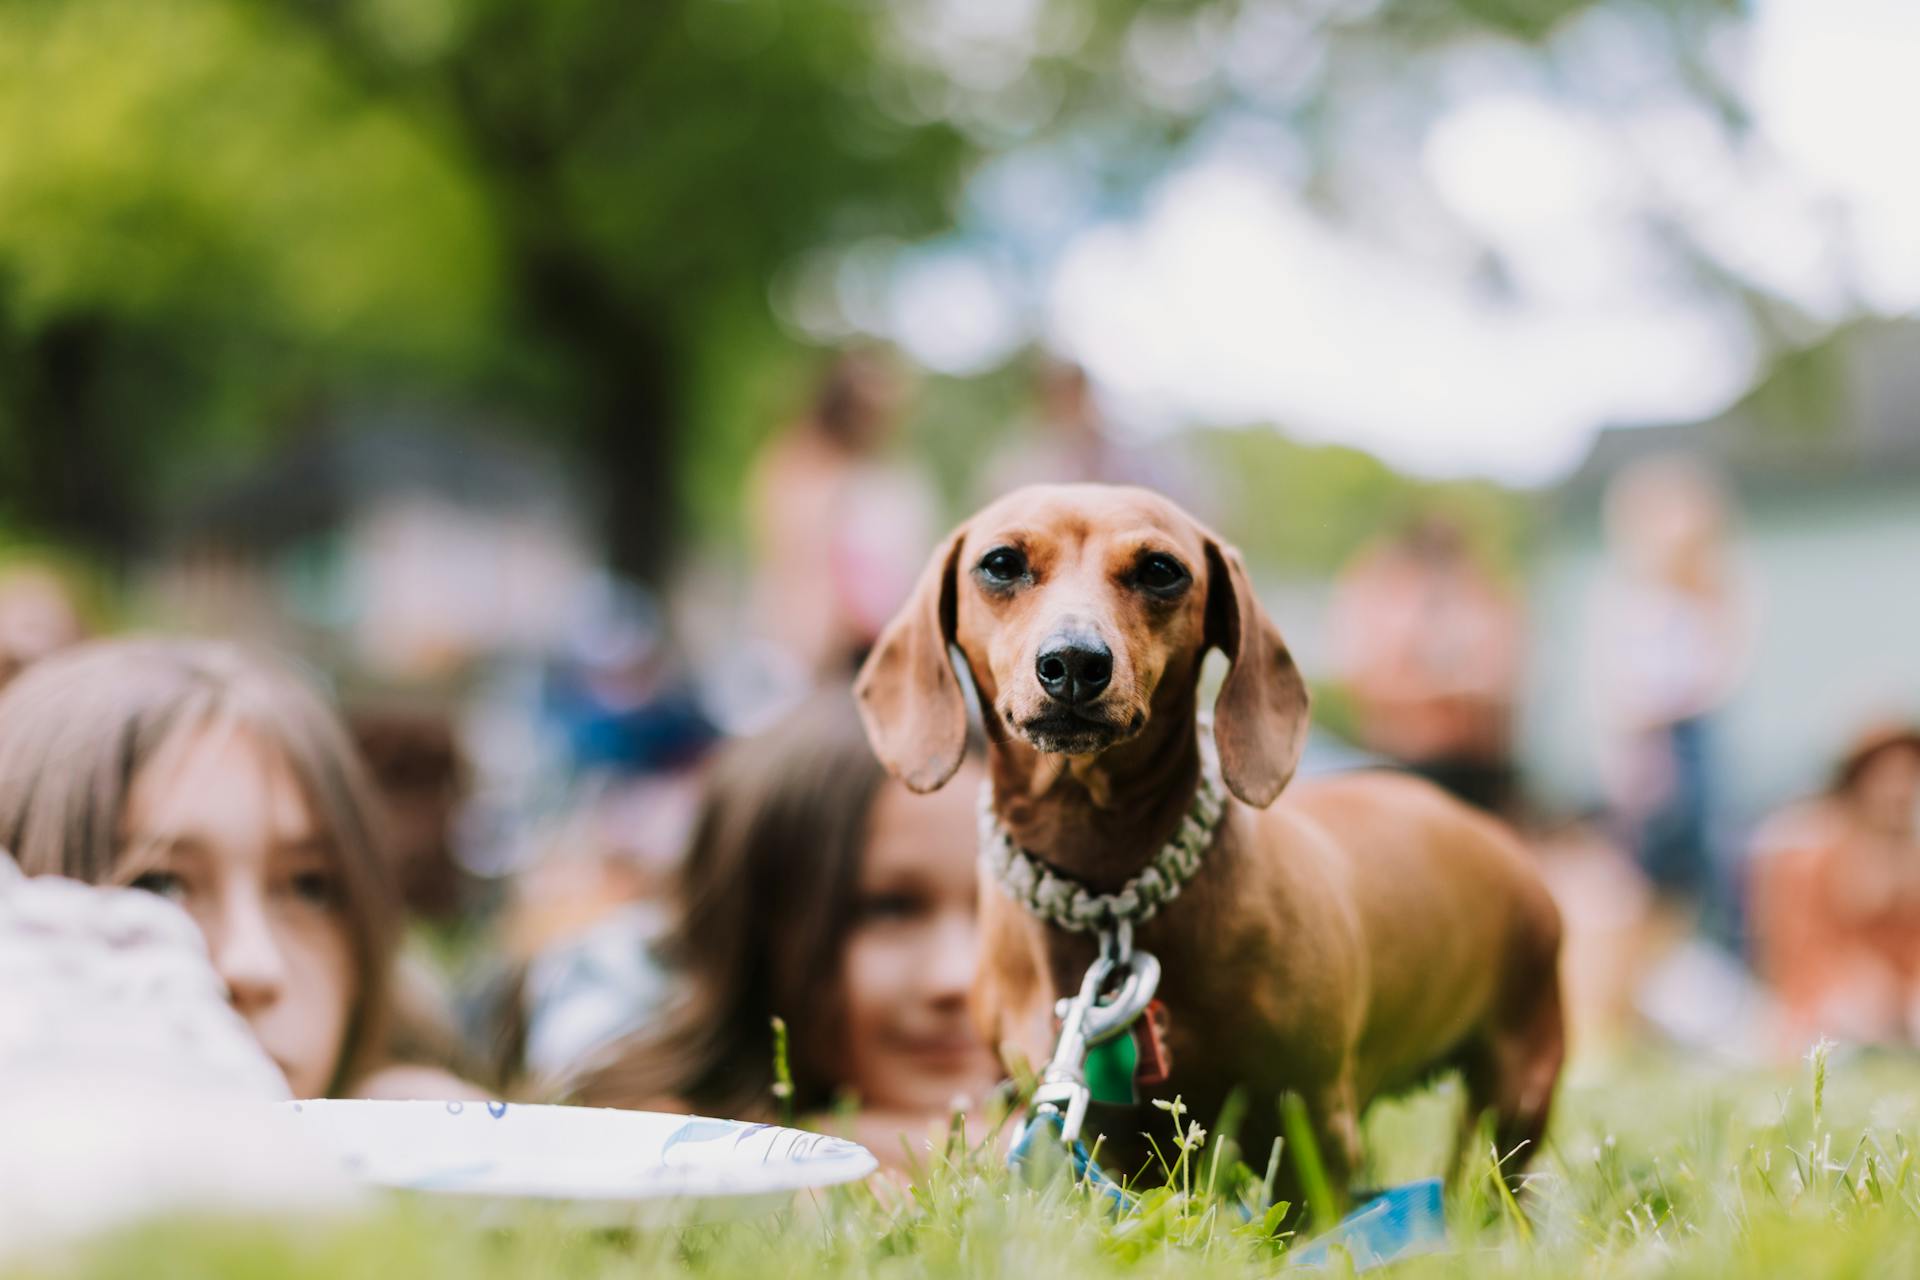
(1836, 901)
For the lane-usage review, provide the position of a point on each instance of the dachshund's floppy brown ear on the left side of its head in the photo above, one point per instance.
(911, 699)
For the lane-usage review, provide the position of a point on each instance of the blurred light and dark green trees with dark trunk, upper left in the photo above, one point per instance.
(214, 214)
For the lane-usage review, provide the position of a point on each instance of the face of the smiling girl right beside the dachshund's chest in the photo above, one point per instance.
(911, 955)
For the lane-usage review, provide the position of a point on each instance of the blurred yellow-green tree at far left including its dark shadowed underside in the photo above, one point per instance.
(201, 225)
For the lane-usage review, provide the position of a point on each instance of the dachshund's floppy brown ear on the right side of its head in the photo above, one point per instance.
(1260, 717)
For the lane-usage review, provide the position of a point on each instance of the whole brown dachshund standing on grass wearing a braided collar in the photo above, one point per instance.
(1355, 939)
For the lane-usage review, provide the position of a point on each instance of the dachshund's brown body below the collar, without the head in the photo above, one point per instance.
(1351, 941)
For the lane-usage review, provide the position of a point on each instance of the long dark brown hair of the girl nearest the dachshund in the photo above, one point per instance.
(767, 897)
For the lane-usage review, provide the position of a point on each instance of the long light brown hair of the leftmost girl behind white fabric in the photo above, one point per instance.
(76, 730)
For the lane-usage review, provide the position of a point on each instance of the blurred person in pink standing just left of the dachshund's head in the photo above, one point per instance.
(838, 529)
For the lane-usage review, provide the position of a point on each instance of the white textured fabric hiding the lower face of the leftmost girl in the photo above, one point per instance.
(128, 1085)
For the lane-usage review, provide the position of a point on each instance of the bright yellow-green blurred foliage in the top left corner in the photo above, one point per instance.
(197, 164)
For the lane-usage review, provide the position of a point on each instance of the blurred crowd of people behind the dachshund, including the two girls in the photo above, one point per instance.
(631, 872)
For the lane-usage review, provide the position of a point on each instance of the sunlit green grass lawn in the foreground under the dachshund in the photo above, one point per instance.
(1654, 1168)
